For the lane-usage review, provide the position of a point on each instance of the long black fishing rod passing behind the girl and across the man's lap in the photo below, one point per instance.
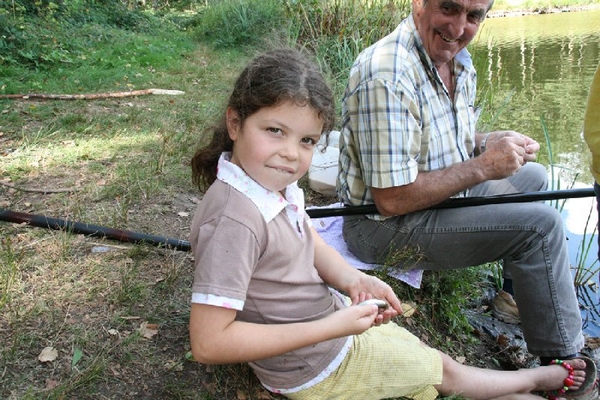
(42, 221)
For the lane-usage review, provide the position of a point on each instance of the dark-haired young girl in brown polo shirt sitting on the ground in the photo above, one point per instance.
(263, 282)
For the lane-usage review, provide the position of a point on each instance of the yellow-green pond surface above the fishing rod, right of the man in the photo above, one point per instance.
(546, 62)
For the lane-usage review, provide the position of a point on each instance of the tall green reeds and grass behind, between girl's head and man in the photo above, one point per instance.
(335, 31)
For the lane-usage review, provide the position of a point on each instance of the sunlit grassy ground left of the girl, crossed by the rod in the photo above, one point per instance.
(127, 161)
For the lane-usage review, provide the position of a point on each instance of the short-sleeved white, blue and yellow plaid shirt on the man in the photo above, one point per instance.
(398, 118)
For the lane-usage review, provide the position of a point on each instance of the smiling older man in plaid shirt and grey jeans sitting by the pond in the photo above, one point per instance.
(409, 142)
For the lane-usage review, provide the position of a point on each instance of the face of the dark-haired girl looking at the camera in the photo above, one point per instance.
(275, 145)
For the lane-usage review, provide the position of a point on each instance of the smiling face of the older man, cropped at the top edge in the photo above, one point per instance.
(448, 26)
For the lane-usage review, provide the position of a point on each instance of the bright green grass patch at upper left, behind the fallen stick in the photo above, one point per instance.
(92, 56)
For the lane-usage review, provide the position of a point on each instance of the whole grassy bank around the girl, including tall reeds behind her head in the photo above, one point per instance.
(124, 163)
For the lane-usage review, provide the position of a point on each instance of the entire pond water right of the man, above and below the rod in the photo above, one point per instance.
(539, 68)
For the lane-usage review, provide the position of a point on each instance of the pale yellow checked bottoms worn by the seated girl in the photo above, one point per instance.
(384, 362)
